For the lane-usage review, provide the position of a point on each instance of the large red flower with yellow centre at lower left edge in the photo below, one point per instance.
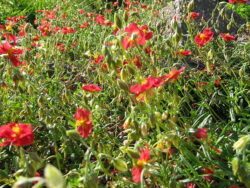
(16, 133)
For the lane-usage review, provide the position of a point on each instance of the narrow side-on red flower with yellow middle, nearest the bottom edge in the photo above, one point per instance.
(140, 164)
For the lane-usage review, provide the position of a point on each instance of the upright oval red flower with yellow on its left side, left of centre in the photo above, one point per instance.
(83, 122)
